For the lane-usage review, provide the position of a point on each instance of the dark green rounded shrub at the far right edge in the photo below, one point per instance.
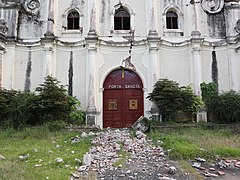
(226, 107)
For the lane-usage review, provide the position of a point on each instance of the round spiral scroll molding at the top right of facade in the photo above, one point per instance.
(212, 6)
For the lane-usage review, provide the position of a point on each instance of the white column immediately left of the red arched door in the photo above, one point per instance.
(91, 81)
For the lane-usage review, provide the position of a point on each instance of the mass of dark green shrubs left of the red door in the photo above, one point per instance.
(50, 103)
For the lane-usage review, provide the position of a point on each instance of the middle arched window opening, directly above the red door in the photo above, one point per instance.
(121, 20)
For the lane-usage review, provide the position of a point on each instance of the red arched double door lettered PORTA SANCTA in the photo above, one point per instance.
(122, 99)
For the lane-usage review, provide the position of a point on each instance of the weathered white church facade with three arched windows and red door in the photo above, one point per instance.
(110, 53)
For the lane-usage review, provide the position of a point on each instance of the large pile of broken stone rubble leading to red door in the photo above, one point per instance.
(143, 161)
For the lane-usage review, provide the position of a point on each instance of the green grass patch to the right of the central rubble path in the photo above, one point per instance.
(188, 143)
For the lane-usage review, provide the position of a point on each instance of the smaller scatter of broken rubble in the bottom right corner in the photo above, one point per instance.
(216, 169)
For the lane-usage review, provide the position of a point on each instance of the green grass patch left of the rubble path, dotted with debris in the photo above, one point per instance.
(43, 148)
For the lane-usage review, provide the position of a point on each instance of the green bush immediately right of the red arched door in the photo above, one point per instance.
(172, 99)
